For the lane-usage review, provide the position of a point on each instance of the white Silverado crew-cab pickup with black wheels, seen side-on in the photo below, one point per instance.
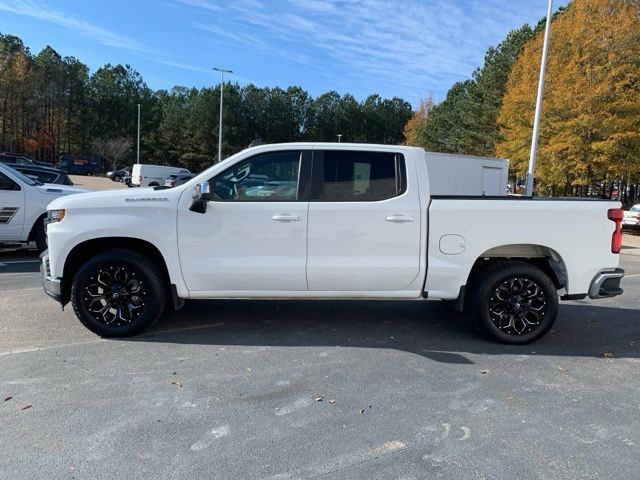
(317, 221)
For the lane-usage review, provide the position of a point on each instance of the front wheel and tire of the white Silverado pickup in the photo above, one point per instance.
(118, 293)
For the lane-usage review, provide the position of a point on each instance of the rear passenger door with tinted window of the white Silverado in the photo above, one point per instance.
(364, 223)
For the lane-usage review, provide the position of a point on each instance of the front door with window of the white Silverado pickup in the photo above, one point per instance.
(253, 236)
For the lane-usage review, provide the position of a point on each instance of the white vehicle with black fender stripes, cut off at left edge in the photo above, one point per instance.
(23, 206)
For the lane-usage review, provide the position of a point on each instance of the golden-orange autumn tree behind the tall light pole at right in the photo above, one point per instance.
(590, 125)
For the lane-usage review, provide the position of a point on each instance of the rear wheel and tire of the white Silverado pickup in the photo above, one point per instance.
(513, 302)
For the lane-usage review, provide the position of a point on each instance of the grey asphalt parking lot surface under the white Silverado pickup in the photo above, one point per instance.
(285, 390)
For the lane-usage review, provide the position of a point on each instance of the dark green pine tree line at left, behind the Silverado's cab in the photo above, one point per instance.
(50, 105)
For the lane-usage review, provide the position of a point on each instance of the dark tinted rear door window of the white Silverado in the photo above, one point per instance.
(357, 176)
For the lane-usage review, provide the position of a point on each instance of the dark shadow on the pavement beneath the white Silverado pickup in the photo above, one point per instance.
(429, 329)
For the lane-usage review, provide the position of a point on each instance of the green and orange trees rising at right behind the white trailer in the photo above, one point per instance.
(589, 141)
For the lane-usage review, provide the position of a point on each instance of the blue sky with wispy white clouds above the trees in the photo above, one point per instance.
(405, 48)
